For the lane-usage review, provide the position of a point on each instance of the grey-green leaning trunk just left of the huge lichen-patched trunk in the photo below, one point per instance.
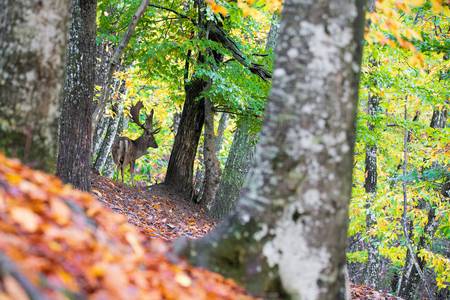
(236, 168)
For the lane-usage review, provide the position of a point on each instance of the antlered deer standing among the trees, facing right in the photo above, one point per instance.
(126, 151)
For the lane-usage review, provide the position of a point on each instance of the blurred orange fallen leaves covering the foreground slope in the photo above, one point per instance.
(56, 242)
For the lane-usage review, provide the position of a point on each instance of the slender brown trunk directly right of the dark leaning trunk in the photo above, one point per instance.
(212, 165)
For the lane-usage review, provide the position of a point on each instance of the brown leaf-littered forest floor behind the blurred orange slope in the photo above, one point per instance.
(160, 213)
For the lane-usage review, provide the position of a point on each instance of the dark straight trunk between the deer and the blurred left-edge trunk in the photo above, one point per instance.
(74, 156)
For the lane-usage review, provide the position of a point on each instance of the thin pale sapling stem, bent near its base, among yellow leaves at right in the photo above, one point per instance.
(405, 207)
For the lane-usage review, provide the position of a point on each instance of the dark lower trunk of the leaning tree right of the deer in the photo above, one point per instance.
(181, 163)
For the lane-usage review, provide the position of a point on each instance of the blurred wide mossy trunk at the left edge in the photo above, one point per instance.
(32, 48)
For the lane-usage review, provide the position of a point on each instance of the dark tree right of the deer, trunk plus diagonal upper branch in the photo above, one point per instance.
(180, 168)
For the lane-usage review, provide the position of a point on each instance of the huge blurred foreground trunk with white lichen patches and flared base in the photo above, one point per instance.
(291, 223)
